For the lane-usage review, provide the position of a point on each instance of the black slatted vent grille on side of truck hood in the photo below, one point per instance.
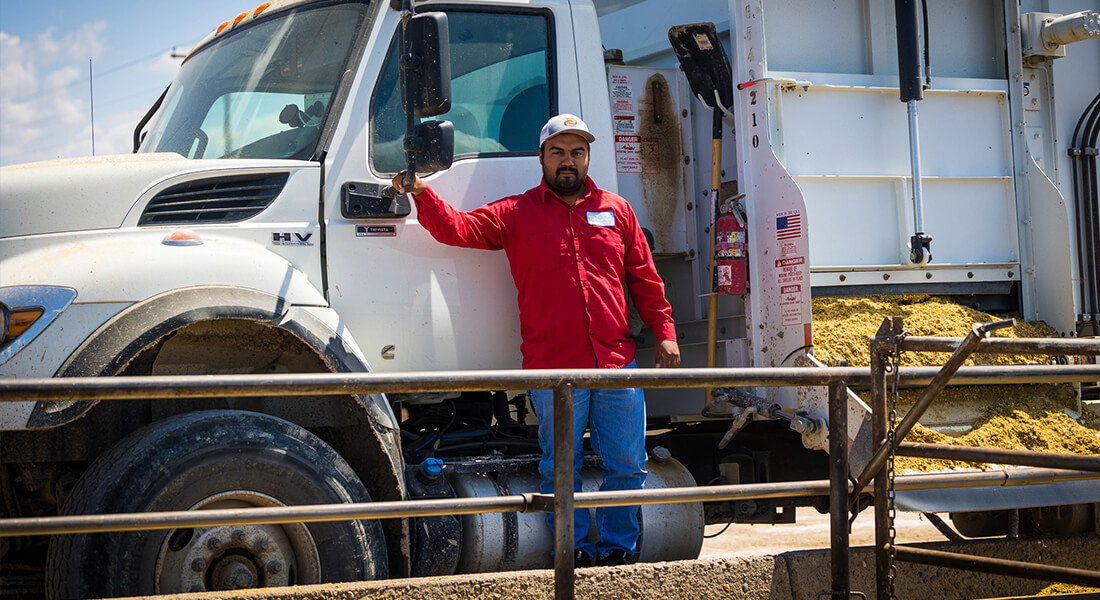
(222, 200)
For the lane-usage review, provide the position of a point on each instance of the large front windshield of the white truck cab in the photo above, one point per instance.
(263, 92)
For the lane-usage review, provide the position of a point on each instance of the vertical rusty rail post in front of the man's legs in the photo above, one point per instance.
(564, 493)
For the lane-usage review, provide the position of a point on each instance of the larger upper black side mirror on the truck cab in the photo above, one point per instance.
(426, 63)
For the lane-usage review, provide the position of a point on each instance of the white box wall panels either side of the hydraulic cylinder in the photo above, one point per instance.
(849, 149)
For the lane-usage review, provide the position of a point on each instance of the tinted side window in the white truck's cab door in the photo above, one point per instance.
(500, 90)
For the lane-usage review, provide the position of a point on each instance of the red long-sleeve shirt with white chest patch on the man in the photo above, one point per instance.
(571, 267)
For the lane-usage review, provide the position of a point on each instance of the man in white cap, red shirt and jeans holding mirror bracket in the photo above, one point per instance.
(573, 249)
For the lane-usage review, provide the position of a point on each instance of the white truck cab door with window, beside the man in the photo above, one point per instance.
(412, 303)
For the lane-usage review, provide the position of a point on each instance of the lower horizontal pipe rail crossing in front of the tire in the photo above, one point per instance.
(526, 504)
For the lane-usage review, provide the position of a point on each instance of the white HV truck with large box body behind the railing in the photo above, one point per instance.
(252, 232)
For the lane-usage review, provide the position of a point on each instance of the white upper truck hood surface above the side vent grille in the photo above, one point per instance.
(91, 193)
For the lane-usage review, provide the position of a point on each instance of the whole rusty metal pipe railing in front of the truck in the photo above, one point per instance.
(564, 383)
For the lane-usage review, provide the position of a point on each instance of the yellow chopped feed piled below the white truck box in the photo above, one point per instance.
(1032, 418)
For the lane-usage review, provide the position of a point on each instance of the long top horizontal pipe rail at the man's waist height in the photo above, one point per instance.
(181, 387)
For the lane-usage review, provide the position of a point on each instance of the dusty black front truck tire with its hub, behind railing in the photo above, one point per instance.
(215, 460)
